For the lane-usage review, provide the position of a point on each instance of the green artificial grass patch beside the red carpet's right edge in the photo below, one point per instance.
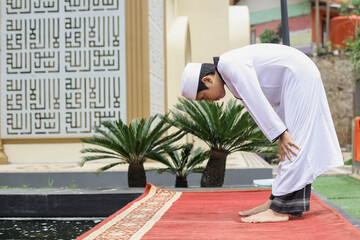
(344, 191)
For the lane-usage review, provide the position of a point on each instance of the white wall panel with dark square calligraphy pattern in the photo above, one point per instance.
(62, 66)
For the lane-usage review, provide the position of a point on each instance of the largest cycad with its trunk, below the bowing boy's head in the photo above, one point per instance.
(224, 130)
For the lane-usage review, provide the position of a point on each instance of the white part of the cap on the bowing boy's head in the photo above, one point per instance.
(190, 80)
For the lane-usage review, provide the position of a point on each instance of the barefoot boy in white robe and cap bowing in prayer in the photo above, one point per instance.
(283, 91)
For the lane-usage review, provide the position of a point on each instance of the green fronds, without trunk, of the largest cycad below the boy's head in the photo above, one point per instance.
(226, 129)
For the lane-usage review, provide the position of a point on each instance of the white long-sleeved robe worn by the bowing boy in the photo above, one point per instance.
(282, 89)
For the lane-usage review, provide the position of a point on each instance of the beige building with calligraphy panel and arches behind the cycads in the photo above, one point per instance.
(66, 67)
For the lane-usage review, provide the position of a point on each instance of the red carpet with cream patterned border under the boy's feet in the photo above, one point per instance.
(161, 214)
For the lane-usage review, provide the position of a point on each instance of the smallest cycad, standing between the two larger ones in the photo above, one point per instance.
(183, 162)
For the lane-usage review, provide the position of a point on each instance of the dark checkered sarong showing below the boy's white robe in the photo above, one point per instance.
(294, 203)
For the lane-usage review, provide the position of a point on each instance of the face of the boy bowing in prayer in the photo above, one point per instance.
(215, 89)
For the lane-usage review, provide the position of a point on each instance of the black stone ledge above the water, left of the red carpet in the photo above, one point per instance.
(100, 204)
